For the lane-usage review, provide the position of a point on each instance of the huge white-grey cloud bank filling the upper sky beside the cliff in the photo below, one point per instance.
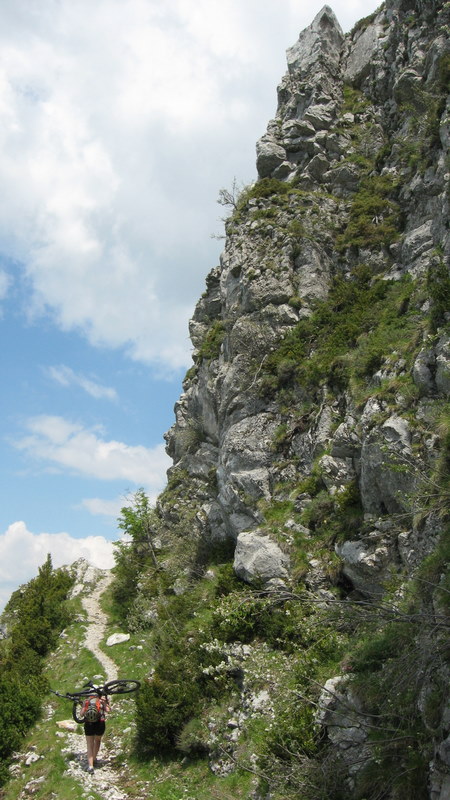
(119, 123)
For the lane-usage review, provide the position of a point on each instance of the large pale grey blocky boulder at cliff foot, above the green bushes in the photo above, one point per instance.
(258, 558)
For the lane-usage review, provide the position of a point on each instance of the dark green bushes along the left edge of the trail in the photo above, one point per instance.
(35, 615)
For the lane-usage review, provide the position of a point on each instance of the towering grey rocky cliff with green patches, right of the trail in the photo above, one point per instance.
(312, 440)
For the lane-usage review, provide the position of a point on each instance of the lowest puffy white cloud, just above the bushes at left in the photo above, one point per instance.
(34, 548)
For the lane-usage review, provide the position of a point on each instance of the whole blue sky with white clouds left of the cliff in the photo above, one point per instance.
(120, 121)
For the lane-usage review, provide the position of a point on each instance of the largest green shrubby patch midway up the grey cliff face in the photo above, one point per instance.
(347, 337)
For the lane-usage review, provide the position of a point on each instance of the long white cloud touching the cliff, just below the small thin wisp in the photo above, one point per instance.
(82, 451)
